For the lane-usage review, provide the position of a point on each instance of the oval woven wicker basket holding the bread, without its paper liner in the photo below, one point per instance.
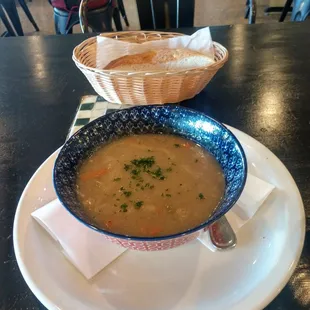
(144, 87)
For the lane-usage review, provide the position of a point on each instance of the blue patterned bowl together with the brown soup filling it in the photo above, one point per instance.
(150, 177)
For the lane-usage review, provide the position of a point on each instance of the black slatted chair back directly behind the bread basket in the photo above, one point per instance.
(161, 14)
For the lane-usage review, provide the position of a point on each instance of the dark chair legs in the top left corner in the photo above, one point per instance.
(11, 10)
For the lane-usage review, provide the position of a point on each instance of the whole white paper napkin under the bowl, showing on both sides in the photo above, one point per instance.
(90, 252)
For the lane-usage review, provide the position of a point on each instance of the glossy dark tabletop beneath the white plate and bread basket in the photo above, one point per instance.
(264, 90)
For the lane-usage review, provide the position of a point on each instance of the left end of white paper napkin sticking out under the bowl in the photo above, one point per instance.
(85, 248)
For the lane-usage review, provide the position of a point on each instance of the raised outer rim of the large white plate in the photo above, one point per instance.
(49, 304)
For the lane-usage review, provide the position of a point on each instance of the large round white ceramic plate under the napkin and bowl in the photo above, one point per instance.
(188, 277)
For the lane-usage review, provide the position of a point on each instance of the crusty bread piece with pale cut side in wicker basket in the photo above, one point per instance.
(161, 59)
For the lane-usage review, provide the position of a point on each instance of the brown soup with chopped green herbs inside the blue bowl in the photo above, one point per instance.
(150, 185)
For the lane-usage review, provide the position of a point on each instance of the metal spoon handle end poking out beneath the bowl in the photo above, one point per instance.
(222, 235)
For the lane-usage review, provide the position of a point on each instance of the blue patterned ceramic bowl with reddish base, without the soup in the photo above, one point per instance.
(168, 119)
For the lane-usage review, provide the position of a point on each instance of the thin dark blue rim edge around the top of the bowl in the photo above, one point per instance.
(201, 226)
